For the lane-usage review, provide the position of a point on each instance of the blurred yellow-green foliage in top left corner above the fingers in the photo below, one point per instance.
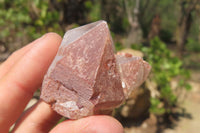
(25, 19)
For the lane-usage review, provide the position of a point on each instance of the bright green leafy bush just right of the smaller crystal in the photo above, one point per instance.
(165, 67)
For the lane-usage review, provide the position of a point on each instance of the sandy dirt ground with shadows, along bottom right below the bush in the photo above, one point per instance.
(189, 122)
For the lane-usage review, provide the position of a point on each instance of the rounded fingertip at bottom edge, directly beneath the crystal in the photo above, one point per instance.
(92, 124)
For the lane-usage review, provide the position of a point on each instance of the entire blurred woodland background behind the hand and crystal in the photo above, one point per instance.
(165, 33)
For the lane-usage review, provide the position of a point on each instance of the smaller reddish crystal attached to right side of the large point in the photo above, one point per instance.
(134, 71)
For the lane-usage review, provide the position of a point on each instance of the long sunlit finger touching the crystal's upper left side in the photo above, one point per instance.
(25, 77)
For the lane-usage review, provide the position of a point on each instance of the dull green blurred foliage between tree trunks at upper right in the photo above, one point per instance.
(165, 9)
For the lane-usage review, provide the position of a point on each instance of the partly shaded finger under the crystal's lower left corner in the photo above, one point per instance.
(38, 119)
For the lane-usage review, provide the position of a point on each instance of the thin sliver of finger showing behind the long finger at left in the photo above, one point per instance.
(15, 57)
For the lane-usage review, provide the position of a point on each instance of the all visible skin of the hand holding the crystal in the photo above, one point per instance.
(20, 76)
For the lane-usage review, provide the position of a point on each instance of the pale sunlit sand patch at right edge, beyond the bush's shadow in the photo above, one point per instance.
(192, 106)
